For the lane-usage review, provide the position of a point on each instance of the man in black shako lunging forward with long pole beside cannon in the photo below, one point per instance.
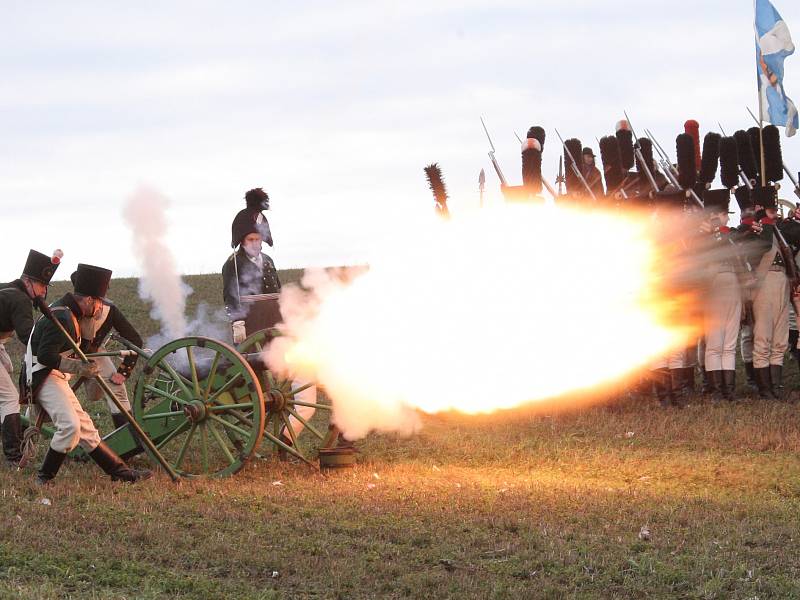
(49, 364)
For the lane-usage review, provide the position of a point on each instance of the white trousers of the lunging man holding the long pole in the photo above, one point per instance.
(73, 425)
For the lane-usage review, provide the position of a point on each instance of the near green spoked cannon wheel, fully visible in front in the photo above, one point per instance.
(202, 405)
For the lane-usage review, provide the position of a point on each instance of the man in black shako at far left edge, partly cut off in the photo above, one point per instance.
(16, 315)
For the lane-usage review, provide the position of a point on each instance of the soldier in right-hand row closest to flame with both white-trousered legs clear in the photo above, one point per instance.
(723, 296)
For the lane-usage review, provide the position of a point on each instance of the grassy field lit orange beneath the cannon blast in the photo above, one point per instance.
(524, 504)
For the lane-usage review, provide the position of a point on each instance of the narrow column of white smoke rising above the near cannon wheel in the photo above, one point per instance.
(160, 282)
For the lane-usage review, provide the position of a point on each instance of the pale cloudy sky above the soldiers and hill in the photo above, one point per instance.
(334, 108)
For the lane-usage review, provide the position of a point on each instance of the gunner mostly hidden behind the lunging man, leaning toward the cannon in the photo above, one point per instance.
(94, 331)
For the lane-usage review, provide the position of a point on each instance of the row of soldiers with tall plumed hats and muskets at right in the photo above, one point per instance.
(743, 279)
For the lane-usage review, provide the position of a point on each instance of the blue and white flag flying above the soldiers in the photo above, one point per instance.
(773, 45)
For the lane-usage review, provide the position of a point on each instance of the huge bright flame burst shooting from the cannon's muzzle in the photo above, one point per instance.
(489, 310)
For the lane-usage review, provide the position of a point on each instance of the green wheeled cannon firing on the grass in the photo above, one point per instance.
(209, 408)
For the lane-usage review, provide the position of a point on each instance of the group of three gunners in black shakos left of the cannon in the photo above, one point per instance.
(50, 363)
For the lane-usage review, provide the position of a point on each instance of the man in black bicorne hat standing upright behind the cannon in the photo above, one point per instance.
(247, 272)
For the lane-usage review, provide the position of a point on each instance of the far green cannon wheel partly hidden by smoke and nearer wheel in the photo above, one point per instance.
(280, 396)
